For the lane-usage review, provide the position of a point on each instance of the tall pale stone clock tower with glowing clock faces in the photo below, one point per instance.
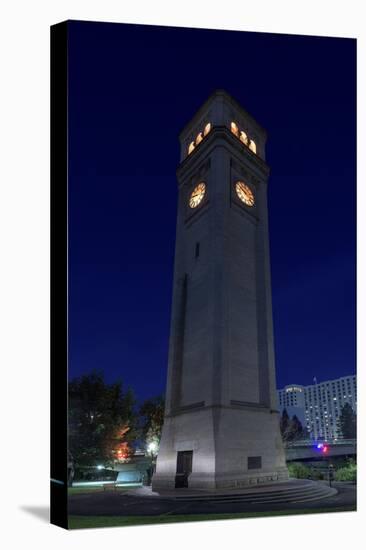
(221, 426)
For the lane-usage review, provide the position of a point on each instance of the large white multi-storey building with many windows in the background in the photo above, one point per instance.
(319, 406)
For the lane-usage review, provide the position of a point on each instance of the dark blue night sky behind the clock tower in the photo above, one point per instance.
(131, 90)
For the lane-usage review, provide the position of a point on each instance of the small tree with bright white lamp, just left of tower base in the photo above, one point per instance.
(152, 417)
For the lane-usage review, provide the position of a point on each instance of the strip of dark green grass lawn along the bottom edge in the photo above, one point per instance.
(89, 522)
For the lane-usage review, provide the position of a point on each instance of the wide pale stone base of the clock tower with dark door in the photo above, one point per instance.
(220, 448)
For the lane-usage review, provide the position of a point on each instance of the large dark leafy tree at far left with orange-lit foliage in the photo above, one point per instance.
(102, 422)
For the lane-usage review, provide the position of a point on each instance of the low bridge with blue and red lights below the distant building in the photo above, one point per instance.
(307, 450)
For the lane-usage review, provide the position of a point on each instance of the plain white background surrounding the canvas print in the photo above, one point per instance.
(24, 271)
